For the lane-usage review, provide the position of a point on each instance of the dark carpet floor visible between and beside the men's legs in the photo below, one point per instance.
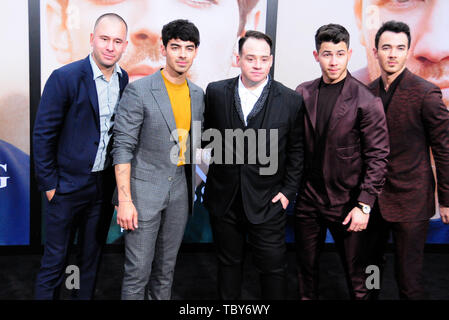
(195, 277)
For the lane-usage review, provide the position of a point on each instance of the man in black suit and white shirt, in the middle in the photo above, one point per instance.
(247, 198)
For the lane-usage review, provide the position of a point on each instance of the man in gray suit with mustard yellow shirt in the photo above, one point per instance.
(154, 140)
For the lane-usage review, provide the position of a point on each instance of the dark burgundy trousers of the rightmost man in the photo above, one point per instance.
(409, 239)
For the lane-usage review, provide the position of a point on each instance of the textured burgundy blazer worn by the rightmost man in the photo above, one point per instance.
(417, 119)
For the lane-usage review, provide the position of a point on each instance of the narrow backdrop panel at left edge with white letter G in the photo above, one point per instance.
(14, 125)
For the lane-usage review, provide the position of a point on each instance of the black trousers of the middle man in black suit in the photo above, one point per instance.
(267, 242)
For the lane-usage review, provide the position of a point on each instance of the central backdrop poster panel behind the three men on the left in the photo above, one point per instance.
(65, 31)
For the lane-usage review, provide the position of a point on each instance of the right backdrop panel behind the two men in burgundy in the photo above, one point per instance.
(298, 21)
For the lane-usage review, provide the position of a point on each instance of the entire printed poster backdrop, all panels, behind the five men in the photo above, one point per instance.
(65, 27)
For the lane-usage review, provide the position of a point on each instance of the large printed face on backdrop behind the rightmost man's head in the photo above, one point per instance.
(429, 49)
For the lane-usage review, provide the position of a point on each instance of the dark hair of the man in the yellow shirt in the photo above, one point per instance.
(180, 29)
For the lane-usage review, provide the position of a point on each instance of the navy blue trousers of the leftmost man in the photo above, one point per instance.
(88, 211)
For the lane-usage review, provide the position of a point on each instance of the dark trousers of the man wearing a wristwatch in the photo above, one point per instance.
(311, 224)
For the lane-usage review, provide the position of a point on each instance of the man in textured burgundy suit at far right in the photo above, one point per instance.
(417, 120)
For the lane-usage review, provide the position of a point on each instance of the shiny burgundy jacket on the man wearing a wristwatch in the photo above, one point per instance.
(356, 146)
